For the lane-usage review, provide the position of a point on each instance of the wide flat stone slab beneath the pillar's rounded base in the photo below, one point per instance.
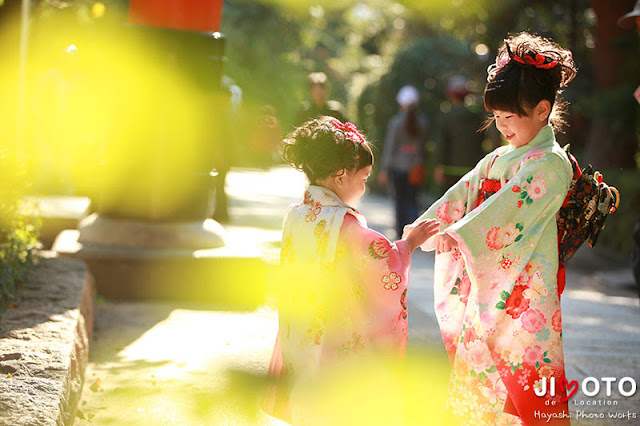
(231, 277)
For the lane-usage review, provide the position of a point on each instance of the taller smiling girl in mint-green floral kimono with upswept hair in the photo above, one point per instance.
(497, 298)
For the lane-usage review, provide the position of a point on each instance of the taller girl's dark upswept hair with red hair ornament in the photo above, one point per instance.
(528, 69)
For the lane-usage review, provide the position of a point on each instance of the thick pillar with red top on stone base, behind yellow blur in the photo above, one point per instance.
(151, 235)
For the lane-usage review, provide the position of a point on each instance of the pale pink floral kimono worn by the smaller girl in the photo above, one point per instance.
(343, 295)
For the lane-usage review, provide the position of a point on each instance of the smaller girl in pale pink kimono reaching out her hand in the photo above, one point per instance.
(344, 286)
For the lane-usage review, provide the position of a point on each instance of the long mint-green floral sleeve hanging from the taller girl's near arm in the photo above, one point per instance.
(509, 247)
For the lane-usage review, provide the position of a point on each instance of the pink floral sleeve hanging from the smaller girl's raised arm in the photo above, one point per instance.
(374, 274)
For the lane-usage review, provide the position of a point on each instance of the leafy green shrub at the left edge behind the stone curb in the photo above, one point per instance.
(18, 231)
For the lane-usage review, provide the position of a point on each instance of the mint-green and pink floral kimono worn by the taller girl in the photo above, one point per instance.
(496, 297)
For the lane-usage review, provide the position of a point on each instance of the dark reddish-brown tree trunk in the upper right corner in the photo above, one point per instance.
(612, 141)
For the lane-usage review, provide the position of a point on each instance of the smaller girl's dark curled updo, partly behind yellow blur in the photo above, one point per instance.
(320, 149)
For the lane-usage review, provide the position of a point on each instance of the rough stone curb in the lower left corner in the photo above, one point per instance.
(44, 344)
